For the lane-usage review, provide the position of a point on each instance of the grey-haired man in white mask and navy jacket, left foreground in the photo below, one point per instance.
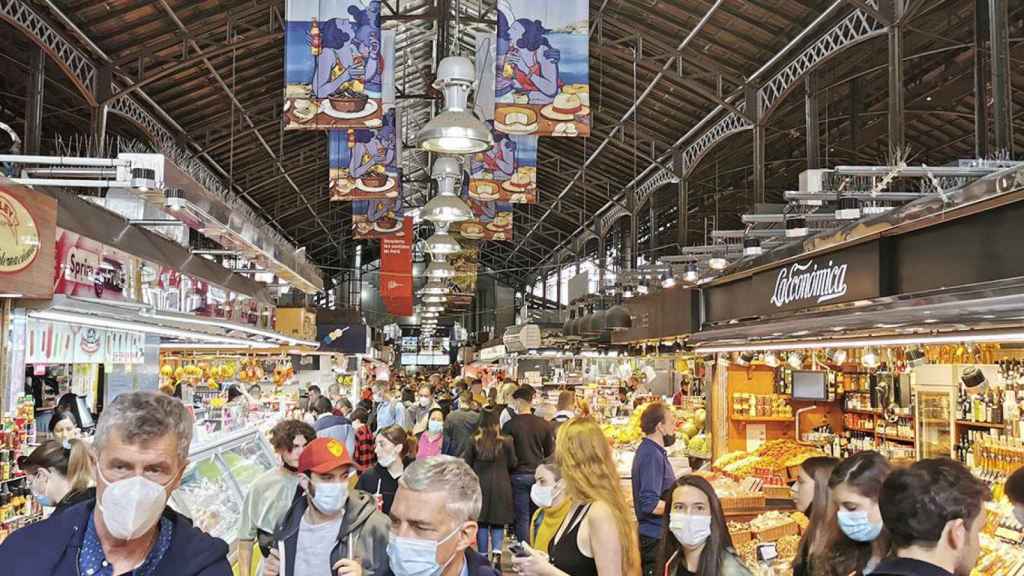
(140, 454)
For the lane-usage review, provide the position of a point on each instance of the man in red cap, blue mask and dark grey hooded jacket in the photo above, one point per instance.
(330, 529)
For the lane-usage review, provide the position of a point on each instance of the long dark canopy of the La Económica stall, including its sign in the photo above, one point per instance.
(940, 266)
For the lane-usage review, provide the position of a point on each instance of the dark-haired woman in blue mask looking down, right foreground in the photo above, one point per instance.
(857, 539)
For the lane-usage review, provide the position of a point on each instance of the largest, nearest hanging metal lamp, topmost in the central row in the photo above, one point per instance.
(456, 130)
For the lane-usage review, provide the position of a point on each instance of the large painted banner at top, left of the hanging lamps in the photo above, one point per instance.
(333, 65)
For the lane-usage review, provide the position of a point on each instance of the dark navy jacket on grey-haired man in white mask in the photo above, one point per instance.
(51, 548)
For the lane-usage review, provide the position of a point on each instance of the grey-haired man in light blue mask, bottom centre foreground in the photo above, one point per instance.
(434, 521)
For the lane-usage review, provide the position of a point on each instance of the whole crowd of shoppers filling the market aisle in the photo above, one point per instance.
(432, 485)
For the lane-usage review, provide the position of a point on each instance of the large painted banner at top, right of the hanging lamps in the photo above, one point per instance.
(542, 81)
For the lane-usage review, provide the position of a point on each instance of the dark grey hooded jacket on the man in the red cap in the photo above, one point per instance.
(369, 528)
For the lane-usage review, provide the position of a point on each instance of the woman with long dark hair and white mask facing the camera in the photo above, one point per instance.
(696, 541)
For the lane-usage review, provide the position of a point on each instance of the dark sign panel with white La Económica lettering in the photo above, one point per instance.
(838, 277)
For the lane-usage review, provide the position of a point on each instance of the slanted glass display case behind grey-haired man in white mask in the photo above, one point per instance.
(222, 470)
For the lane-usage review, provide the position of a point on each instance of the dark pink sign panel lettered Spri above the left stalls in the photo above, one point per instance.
(87, 268)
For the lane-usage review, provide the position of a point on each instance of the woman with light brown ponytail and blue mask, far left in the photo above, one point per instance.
(60, 474)
